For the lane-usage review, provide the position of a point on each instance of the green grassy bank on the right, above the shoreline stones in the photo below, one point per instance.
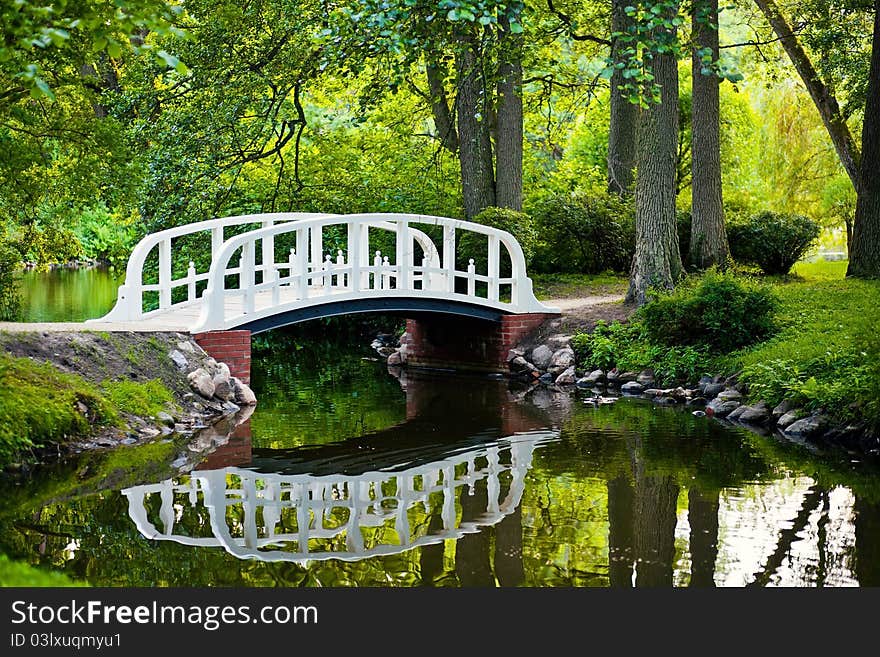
(821, 353)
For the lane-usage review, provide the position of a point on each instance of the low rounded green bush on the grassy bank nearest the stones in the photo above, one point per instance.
(717, 310)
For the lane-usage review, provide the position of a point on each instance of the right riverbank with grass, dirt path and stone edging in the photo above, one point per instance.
(814, 378)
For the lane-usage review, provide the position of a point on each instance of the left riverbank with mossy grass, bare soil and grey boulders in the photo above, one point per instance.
(75, 391)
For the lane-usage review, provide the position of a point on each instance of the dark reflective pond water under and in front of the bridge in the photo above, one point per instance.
(347, 475)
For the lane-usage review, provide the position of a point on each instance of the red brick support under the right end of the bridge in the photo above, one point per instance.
(458, 343)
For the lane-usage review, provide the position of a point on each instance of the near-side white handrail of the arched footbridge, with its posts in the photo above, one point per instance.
(403, 271)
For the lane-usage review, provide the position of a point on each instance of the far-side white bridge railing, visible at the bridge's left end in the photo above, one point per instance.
(131, 298)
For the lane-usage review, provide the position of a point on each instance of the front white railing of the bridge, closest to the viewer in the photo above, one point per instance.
(310, 275)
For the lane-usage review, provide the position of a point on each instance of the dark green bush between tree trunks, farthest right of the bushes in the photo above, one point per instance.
(772, 241)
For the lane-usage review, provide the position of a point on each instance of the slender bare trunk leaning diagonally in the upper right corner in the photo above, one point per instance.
(822, 96)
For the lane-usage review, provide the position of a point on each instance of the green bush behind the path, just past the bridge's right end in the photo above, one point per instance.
(585, 234)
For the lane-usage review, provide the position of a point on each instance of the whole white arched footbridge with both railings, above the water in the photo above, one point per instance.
(268, 270)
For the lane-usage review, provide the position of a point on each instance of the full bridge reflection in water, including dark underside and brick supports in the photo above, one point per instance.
(376, 495)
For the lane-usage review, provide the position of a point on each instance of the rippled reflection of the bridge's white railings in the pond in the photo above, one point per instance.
(302, 518)
